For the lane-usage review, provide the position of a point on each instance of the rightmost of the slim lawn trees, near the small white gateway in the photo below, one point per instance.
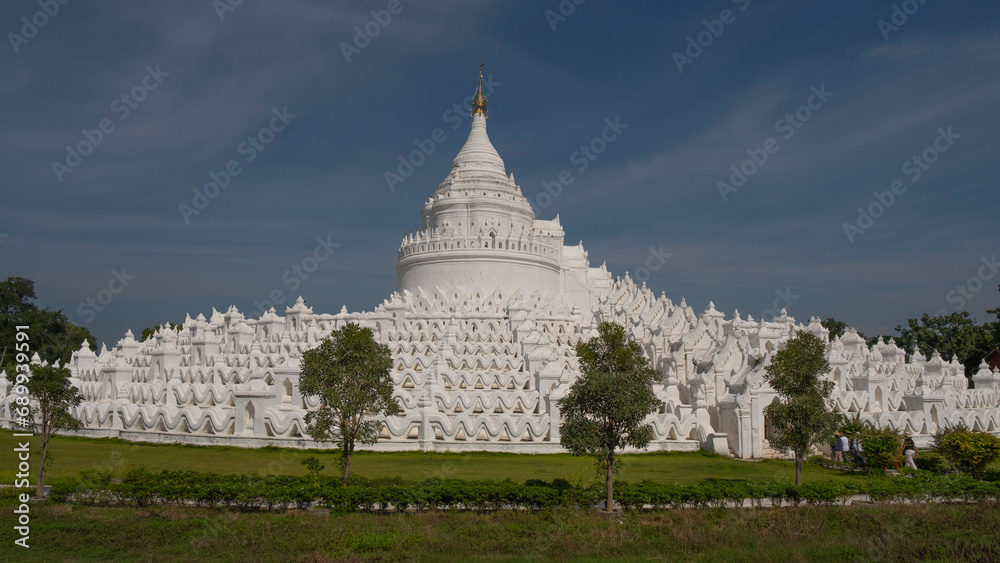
(800, 418)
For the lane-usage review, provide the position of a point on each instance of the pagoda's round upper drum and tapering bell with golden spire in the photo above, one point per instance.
(479, 230)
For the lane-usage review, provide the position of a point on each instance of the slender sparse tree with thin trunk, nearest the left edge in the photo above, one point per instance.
(54, 396)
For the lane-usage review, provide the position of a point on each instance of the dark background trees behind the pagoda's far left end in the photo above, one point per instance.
(52, 336)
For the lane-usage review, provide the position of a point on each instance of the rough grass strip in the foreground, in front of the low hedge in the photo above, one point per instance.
(854, 533)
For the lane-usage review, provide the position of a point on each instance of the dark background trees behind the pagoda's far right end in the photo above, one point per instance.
(954, 334)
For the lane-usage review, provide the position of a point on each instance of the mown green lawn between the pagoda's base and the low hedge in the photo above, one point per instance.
(70, 455)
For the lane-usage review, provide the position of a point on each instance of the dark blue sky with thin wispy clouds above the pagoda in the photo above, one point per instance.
(207, 83)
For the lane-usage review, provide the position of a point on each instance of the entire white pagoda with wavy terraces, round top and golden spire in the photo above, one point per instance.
(488, 308)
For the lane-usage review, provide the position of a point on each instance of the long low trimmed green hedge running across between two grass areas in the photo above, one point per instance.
(281, 492)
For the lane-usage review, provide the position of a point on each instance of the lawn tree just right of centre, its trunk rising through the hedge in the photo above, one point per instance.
(605, 408)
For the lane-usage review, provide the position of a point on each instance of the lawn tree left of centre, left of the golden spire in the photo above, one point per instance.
(351, 374)
